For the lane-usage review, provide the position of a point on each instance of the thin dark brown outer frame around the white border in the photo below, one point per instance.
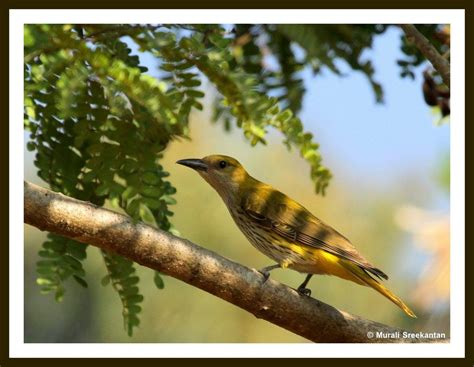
(5, 359)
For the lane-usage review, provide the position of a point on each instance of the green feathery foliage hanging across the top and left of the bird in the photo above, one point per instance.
(99, 123)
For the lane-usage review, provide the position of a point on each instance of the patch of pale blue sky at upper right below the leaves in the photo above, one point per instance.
(390, 137)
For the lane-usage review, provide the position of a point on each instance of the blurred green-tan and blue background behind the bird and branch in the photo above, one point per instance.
(389, 196)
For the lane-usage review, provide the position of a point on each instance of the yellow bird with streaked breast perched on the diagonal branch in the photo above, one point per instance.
(285, 231)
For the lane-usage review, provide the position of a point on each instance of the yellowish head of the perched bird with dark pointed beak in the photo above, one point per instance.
(225, 174)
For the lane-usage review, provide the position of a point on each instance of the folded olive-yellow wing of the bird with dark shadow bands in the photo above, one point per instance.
(287, 218)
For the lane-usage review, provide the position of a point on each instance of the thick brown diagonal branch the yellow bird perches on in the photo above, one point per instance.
(199, 267)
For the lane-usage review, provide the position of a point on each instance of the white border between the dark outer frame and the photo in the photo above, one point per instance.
(20, 17)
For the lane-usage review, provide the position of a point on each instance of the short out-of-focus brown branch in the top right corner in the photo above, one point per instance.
(429, 51)
